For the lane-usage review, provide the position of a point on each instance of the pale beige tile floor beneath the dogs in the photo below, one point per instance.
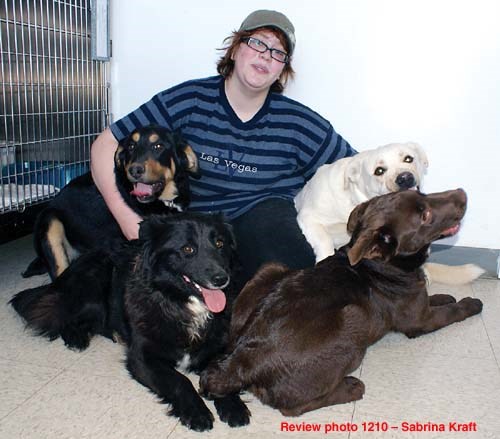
(450, 376)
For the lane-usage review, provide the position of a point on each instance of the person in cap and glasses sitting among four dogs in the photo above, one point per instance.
(256, 147)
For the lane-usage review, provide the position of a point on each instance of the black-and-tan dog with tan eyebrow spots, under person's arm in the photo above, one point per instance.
(152, 167)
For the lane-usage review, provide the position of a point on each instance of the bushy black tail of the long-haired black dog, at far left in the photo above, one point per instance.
(40, 308)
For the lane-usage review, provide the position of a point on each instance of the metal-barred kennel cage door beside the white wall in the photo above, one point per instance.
(53, 98)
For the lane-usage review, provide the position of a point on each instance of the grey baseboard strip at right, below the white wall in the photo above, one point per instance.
(486, 258)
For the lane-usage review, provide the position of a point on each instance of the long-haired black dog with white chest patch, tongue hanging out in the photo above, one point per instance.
(163, 296)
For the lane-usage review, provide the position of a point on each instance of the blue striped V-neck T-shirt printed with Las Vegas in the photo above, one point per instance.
(241, 163)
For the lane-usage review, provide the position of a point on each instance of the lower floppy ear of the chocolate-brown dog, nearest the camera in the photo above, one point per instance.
(372, 244)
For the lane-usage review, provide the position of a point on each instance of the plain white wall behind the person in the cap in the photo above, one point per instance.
(380, 71)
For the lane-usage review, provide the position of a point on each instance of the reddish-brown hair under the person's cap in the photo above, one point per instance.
(225, 65)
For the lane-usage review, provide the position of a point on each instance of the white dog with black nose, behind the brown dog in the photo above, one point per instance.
(325, 202)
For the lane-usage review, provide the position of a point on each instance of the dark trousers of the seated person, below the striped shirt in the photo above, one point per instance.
(269, 233)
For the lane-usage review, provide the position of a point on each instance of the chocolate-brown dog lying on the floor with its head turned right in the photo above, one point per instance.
(296, 335)
